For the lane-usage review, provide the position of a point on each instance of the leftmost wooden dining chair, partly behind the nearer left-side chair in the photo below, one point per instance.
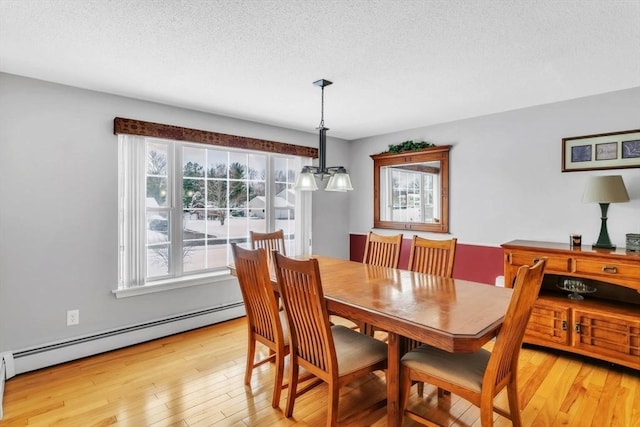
(266, 323)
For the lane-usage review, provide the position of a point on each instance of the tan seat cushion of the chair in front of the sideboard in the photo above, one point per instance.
(464, 369)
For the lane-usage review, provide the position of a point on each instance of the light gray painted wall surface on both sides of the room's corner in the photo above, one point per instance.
(58, 179)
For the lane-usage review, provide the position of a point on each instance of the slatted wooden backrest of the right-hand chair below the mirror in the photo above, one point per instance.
(432, 256)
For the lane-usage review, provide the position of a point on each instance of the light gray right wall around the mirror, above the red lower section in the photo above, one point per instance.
(505, 172)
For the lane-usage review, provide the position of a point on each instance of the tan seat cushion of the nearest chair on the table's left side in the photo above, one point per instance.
(355, 350)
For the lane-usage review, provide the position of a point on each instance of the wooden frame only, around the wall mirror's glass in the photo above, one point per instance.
(441, 154)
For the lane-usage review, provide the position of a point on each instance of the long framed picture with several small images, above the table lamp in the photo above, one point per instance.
(604, 151)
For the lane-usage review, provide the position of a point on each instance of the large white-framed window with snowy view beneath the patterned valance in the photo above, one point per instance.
(183, 203)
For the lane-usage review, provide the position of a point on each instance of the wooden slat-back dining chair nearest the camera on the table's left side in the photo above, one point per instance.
(335, 354)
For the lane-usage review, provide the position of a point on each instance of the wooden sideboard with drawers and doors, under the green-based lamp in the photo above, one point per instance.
(606, 323)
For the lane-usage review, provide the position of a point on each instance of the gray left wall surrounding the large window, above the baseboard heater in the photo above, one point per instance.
(58, 211)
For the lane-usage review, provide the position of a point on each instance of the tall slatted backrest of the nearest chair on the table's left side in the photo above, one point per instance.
(310, 331)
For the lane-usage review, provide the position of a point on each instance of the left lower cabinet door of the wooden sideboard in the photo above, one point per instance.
(548, 324)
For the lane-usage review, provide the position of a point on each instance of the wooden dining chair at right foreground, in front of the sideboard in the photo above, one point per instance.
(478, 377)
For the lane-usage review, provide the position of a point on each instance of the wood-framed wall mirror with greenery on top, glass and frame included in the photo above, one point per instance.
(411, 190)
